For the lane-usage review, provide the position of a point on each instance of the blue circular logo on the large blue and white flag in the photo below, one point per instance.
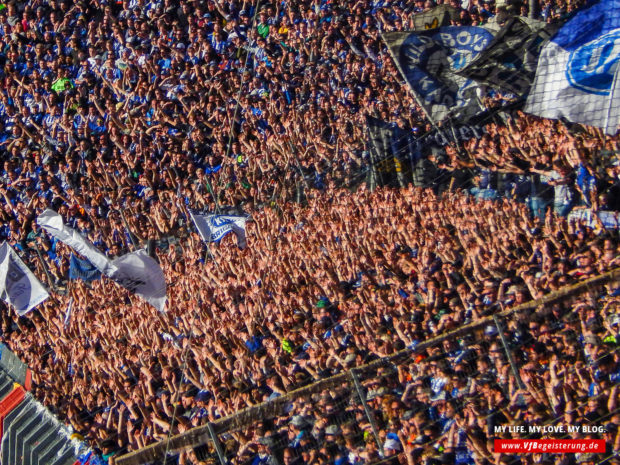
(591, 67)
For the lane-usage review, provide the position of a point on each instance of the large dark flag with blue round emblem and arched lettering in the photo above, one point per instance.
(430, 61)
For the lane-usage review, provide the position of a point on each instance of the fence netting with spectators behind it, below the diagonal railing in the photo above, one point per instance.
(549, 366)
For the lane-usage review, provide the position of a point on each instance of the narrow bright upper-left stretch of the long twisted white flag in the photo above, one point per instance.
(53, 224)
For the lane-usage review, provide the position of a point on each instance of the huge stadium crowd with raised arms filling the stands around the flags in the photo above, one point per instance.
(122, 115)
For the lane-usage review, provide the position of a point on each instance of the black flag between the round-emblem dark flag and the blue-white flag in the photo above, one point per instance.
(509, 62)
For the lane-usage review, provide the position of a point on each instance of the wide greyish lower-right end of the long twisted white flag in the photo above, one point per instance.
(141, 274)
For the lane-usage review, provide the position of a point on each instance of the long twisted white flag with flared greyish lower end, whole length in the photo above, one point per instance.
(136, 271)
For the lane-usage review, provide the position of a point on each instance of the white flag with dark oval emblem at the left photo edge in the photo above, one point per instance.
(19, 287)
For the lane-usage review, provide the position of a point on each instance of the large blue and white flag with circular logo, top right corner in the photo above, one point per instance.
(575, 77)
